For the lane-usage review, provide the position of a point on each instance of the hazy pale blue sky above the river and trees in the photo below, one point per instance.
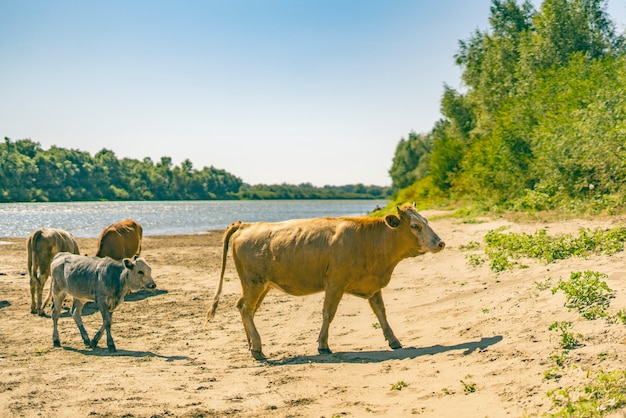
(272, 91)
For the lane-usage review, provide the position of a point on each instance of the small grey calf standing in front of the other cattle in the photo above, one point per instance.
(103, 280)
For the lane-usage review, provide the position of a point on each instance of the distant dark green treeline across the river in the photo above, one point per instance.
(29, 173)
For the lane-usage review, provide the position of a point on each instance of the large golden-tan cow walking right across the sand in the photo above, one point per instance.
(354, 255)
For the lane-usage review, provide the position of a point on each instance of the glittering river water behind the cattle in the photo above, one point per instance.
(87, 219)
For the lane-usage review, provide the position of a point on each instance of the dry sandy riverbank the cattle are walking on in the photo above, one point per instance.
(476, 343)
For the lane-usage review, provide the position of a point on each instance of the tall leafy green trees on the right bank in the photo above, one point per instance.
(540, 122)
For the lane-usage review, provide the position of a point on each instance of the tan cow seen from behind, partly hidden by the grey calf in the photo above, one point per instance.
(42, 245)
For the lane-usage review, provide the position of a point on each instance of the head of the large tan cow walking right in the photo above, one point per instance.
(422, 238)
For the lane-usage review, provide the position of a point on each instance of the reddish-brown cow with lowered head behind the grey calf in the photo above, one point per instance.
(120, 240)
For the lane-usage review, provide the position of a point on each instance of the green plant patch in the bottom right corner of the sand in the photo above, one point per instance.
(605, 393)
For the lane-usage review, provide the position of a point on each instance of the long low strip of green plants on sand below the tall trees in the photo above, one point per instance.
(501, 247)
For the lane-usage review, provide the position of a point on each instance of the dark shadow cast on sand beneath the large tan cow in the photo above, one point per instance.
(385, 355)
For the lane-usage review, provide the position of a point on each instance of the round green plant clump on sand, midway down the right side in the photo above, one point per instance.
(586, 292)
